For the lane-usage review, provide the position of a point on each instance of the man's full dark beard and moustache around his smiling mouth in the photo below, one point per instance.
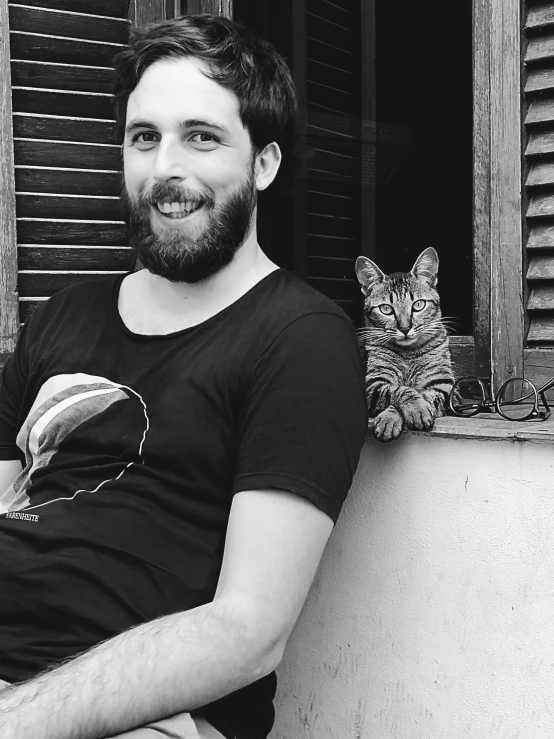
(180, 257)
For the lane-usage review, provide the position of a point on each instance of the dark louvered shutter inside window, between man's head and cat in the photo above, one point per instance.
(333, 139)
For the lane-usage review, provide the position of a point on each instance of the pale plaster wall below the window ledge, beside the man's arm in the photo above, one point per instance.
(432, 615)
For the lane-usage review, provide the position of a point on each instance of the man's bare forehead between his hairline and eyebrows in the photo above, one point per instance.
(180, 89)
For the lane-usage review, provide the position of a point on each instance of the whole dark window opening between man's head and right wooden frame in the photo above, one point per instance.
(420, 160)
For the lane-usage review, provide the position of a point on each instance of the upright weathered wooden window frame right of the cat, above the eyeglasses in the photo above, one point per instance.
(497, 348)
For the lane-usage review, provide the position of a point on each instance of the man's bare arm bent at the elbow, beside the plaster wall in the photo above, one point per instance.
(186, 660)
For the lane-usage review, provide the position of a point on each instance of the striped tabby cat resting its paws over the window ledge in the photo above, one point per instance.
(408, 368)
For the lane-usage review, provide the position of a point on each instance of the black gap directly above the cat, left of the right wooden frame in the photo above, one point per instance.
(424, 87)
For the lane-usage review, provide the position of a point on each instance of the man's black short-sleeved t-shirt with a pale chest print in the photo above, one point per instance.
(133, 447)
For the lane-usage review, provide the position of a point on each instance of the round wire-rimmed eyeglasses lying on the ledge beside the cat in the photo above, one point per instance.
(517, 399)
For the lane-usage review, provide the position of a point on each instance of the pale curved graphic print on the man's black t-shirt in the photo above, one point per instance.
(87, 430)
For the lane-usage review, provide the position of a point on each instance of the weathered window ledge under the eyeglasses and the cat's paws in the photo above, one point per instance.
(487, 426)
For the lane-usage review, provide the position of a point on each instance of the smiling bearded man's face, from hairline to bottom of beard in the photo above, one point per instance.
(189, 171)
